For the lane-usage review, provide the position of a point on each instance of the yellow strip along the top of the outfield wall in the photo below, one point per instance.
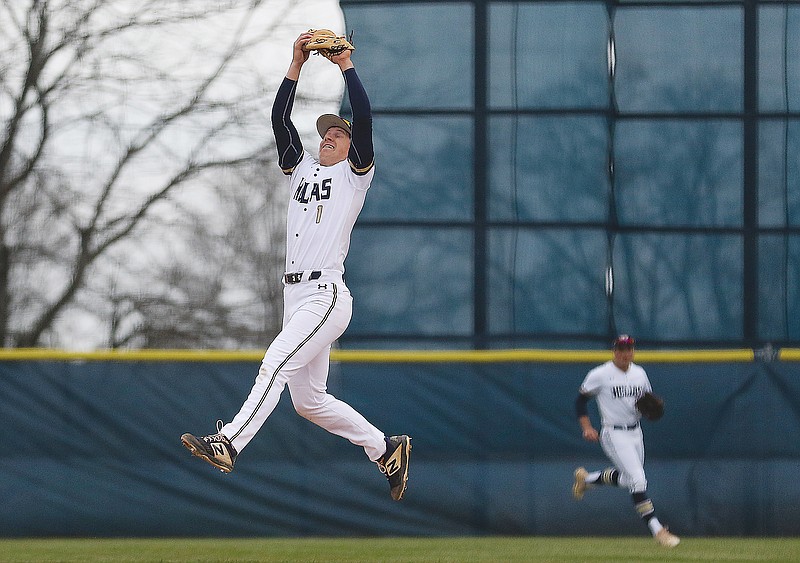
(391, 356)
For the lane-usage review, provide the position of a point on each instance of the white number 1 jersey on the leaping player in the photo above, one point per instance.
(324, 204)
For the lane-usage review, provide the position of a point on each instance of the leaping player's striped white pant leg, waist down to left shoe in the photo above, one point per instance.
(315, 316)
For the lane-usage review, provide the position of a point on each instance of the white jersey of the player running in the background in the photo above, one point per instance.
(616, 392)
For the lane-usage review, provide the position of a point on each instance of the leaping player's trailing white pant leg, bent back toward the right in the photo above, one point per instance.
(308, 389)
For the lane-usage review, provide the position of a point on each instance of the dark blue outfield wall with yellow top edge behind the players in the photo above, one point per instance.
(92, 447)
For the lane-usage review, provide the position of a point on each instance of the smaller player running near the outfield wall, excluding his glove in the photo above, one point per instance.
(616, 385)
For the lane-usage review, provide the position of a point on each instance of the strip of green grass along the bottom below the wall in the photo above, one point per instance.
(409, 550)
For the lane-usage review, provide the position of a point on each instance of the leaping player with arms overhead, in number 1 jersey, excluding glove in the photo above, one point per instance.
(325, 198)
